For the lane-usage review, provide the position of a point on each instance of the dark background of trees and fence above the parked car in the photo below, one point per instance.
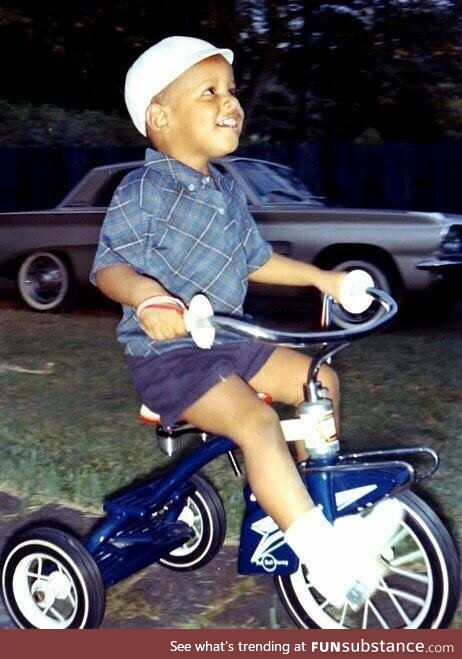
(364, 98)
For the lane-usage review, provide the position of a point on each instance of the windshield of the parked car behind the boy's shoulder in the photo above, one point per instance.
(274, 183)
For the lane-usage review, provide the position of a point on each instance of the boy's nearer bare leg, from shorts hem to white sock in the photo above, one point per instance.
(232, 408)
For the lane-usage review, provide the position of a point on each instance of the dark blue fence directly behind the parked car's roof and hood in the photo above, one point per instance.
(406, 176)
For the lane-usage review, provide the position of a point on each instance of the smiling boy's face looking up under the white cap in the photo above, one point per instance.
(204, 116)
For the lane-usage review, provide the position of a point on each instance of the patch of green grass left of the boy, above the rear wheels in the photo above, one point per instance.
(72, 436)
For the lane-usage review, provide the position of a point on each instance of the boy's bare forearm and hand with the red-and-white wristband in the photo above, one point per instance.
(123, 284)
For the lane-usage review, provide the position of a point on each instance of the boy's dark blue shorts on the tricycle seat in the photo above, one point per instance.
(169, 383)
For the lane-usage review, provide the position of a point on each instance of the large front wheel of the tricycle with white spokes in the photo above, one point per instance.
(423, 571)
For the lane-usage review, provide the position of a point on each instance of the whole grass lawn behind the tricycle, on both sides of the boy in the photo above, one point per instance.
(73, 436)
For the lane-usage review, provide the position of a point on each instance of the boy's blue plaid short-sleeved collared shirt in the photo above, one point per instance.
(190, 232)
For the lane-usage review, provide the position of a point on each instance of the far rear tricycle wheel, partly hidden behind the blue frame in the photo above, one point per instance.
(205, 513)
